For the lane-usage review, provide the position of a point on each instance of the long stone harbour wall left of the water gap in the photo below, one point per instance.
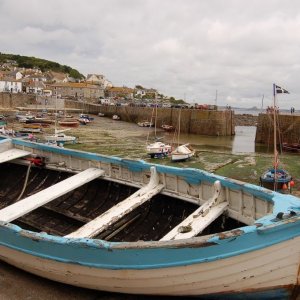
(195, 121)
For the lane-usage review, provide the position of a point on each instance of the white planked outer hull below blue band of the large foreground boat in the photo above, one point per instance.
(265, 269)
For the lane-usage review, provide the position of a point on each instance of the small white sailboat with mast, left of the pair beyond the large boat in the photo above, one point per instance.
(157, 149)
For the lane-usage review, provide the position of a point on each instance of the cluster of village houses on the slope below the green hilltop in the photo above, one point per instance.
(95, 88)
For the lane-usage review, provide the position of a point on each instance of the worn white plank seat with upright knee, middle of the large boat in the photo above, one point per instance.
(115, 213)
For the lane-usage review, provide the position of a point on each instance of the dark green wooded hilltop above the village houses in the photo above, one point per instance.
(42, 64)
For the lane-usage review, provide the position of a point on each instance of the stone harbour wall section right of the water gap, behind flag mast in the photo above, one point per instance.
(288, 128)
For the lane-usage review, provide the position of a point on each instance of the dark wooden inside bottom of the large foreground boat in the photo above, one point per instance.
(67, 214)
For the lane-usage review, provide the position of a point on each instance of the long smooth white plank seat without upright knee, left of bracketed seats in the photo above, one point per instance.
(30, 203)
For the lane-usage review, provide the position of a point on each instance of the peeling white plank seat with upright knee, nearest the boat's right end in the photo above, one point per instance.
(200, 218)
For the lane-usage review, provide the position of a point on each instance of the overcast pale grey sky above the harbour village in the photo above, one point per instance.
(224, 52)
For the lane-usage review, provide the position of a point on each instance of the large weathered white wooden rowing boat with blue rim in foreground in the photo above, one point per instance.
(127, 226)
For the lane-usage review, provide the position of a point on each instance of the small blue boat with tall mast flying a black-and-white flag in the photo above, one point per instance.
(276, 178)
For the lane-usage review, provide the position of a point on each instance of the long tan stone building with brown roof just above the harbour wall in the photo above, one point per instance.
(76, 90)
